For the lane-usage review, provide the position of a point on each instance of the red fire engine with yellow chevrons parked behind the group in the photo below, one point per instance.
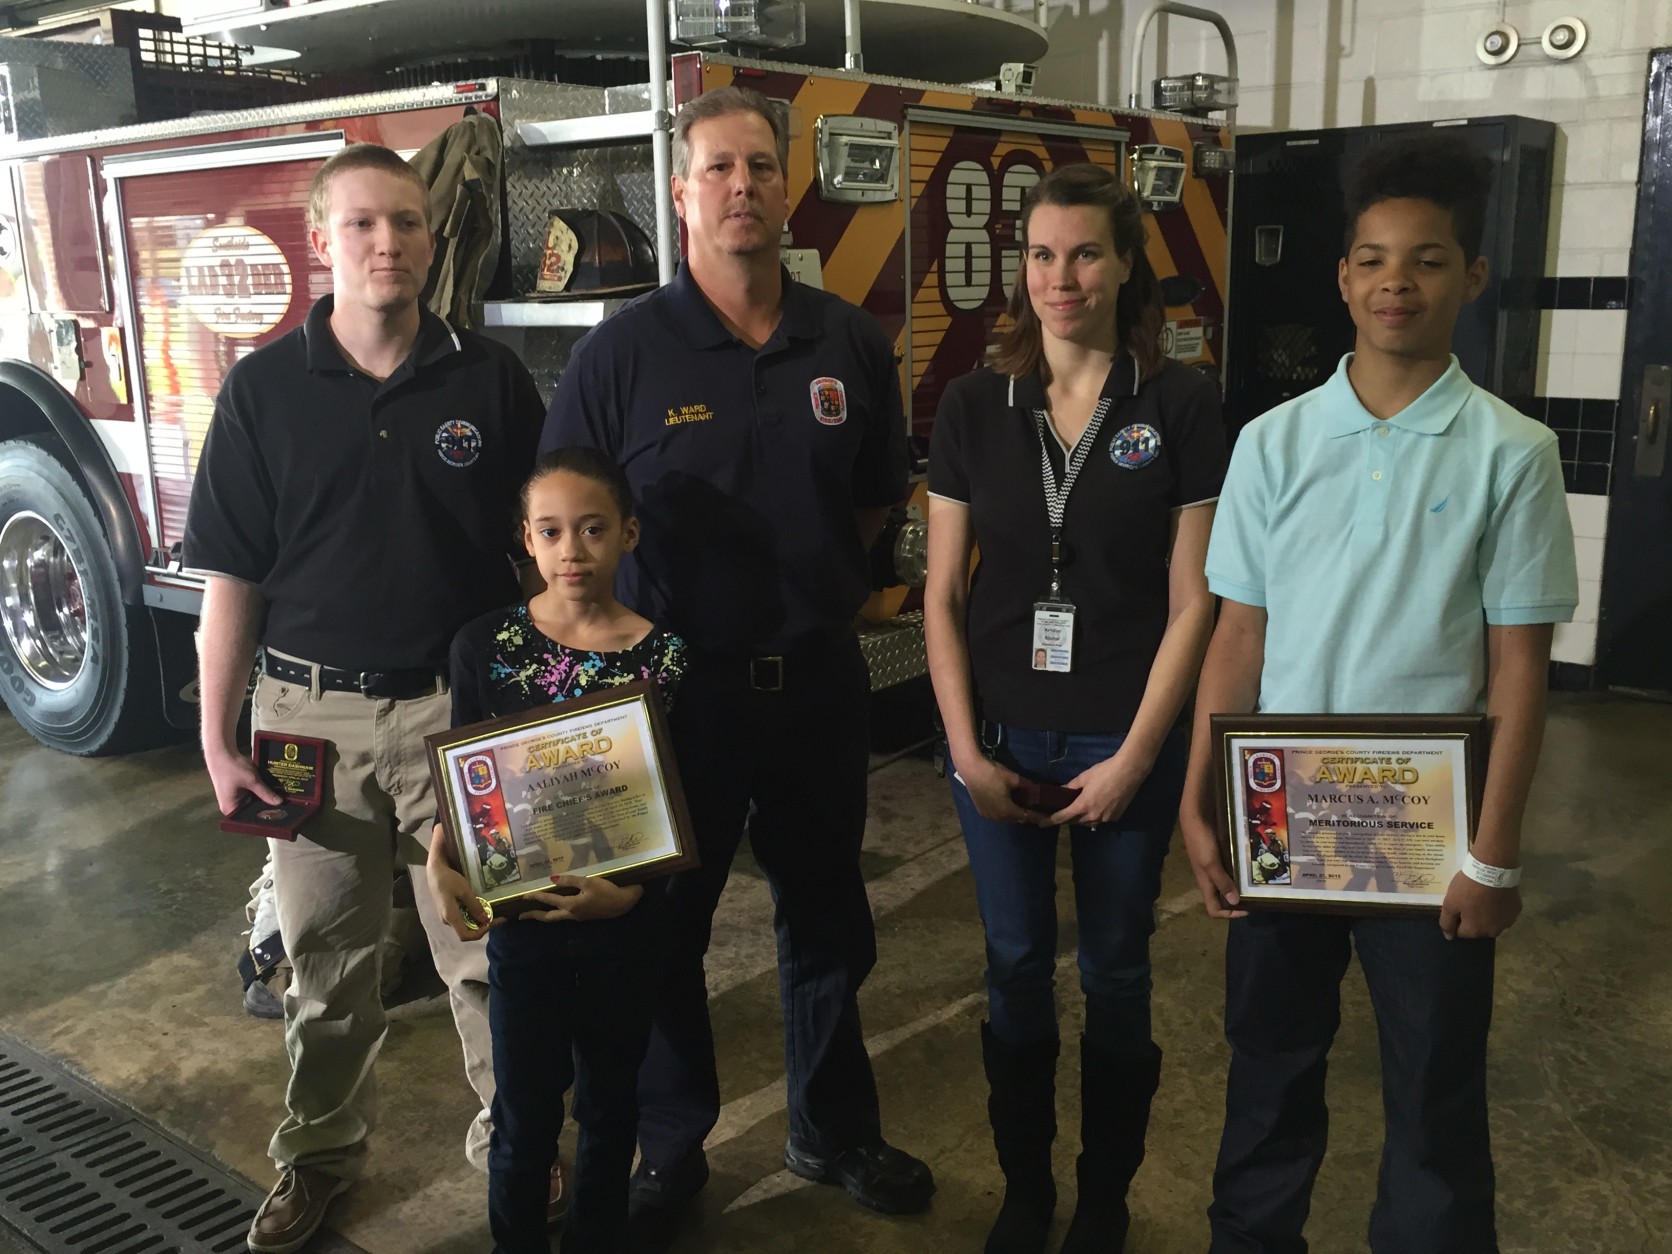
(138, 262)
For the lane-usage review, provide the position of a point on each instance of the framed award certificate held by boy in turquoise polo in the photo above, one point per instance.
(1348, 815)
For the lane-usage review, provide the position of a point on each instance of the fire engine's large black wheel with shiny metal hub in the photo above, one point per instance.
(78, 668)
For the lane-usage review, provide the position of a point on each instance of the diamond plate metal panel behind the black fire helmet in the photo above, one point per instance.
(539, 180)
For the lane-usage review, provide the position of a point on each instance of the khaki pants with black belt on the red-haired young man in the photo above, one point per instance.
(334, 899)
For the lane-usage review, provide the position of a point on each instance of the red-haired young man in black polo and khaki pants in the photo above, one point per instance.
(357, 491)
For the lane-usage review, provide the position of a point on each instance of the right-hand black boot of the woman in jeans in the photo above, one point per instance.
(1116, 1093)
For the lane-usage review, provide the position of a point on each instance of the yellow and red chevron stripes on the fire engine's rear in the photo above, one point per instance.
(865, 248)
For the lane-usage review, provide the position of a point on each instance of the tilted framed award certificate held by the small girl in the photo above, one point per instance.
(584, 787)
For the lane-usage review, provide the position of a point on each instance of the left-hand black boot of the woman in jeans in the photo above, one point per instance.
(1022, 1109)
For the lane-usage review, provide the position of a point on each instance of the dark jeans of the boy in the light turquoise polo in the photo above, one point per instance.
(1283, 1007)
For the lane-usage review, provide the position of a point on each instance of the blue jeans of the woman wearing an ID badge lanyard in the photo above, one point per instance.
(1116, 884)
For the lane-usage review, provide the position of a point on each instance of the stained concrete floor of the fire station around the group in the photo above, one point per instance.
(121, 909)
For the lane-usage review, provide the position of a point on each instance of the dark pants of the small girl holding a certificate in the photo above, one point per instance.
(568, 1004)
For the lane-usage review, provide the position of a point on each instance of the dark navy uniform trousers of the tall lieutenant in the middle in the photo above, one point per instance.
(790, 768)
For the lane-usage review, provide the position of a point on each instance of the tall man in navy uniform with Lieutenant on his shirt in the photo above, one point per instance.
(762, 429)
